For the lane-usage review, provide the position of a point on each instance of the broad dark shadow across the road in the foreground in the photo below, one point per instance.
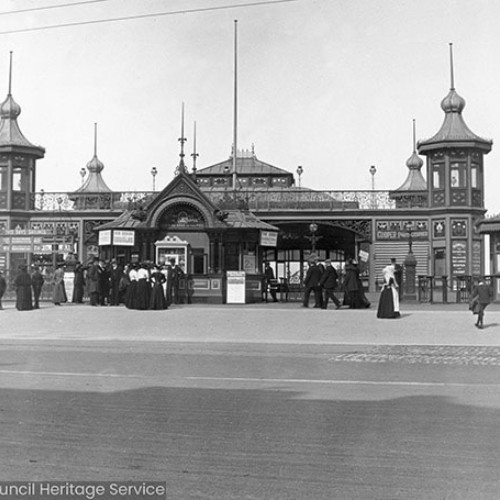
(259, 444)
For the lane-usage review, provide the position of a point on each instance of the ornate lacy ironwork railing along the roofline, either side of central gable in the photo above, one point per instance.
(278, 199)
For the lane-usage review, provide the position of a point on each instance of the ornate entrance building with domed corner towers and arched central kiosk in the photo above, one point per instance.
(241, 213)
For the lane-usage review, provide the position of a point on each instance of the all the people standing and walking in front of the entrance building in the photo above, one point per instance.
(147, 285)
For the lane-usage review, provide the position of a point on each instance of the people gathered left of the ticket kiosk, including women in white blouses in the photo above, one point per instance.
(140, 286)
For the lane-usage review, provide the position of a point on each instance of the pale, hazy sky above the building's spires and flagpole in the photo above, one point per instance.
(331, 85)
